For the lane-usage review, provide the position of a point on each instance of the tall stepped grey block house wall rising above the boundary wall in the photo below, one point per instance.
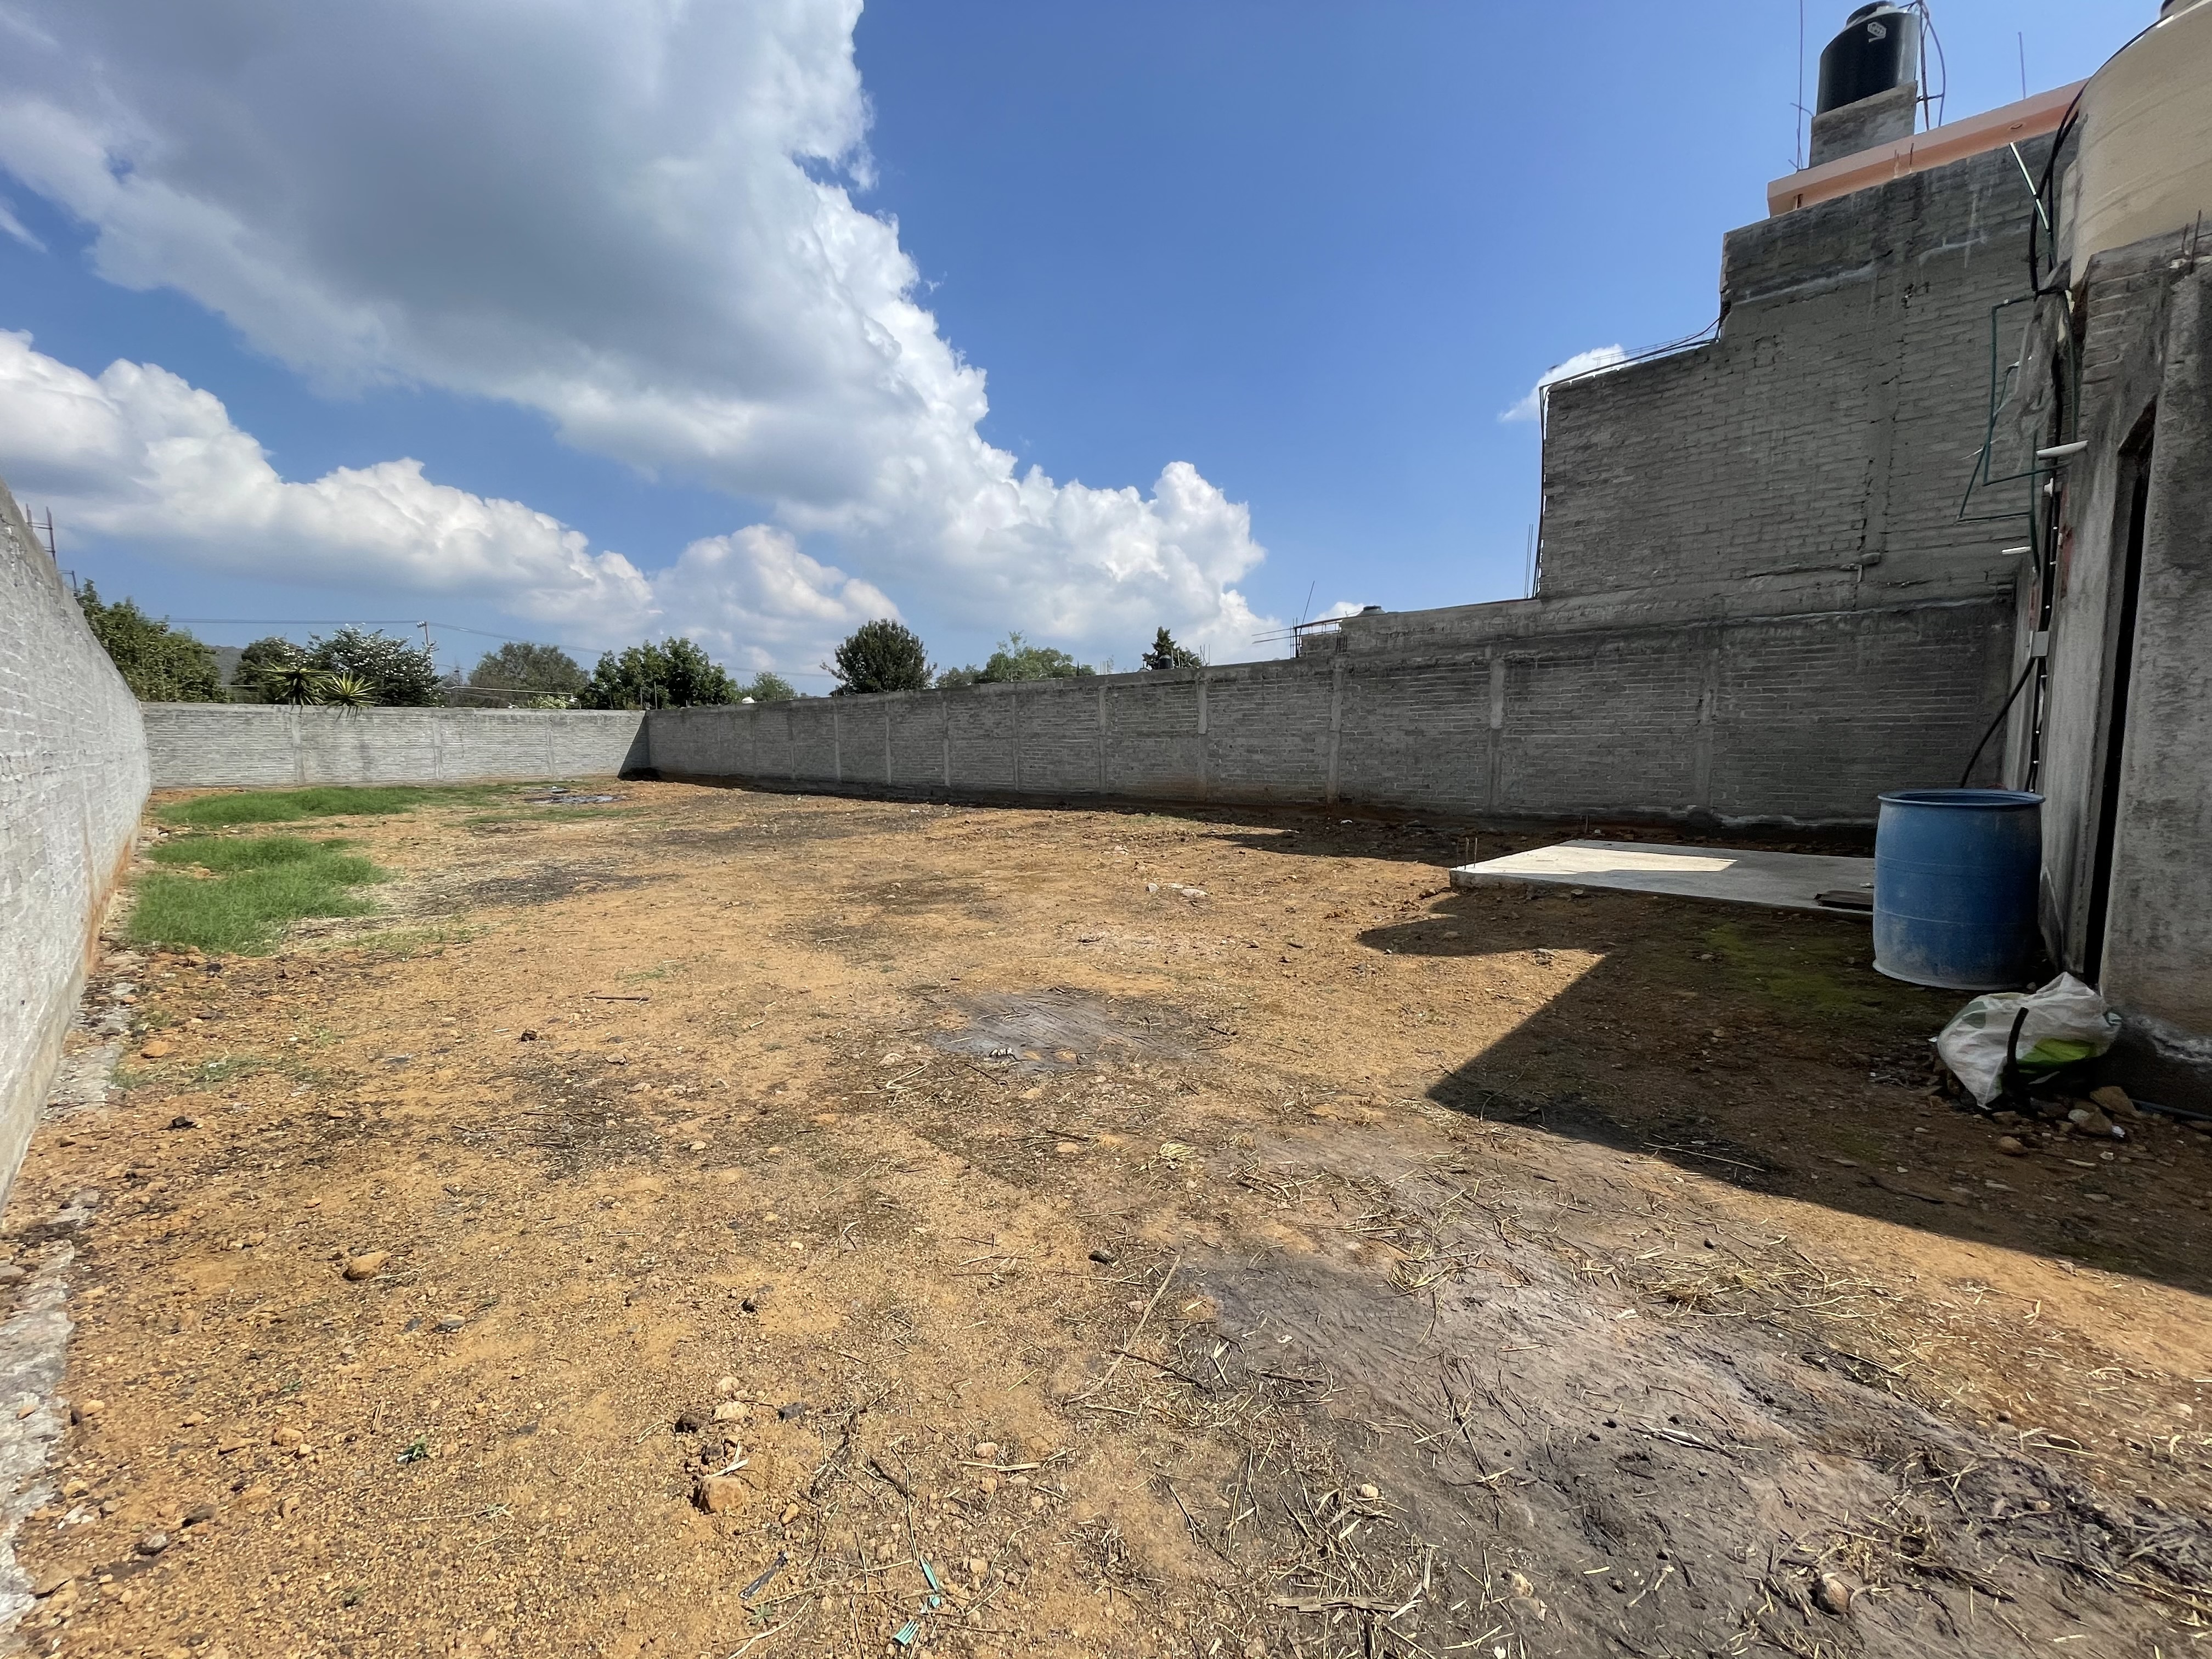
(1815, 455)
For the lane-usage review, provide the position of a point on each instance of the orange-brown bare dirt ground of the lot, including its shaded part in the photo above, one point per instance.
(744, 1224)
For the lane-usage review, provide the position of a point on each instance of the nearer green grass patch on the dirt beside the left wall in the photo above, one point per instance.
(240, 893)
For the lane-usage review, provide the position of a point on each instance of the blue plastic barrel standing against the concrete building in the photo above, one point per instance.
(1954, 888)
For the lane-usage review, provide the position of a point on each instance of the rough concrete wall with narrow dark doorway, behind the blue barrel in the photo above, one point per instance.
(2138, 375)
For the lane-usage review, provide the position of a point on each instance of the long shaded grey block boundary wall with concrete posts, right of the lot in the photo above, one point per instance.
(1768, 720)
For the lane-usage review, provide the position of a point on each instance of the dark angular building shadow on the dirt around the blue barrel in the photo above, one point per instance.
(1762, 1047)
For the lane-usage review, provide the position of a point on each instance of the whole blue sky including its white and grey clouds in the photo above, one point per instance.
(638, 309)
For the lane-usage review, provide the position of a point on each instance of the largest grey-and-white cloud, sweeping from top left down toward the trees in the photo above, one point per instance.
(629, 216)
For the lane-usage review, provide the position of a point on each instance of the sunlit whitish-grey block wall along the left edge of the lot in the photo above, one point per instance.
(72, 789)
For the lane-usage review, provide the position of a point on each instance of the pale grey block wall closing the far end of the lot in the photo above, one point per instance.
(262, 744)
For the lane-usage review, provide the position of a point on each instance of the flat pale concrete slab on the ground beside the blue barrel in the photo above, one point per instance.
(1733, 875)
